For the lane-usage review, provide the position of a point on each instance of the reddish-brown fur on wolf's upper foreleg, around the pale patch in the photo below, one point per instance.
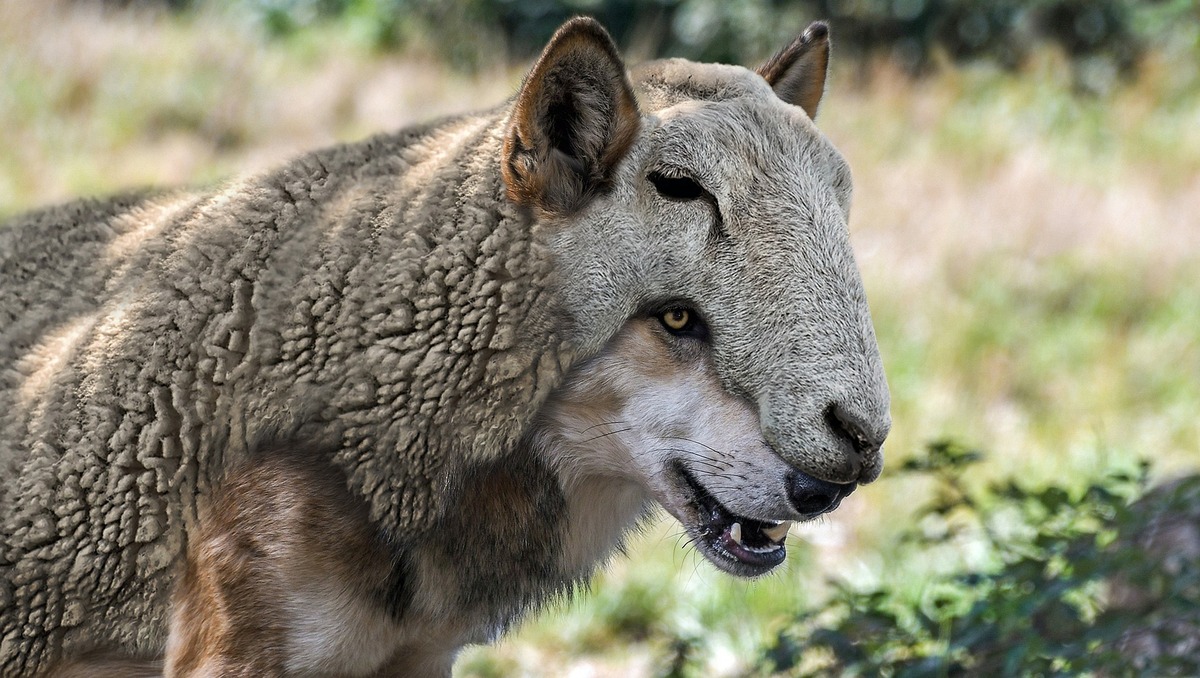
(281, 525)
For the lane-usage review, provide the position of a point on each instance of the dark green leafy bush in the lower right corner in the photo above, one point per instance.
(1076, 587)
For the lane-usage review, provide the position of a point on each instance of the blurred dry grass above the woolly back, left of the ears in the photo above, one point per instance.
(101, 99)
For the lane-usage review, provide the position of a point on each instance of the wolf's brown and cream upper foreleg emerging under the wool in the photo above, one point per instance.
(286, 577)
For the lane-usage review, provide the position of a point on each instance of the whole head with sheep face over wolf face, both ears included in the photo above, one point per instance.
(700, 225)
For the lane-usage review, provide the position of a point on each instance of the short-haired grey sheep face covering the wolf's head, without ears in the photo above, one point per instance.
(777, 283)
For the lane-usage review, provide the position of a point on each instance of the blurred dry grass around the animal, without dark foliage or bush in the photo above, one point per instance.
(1030, 256)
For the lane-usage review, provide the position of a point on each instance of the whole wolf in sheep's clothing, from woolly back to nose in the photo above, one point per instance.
(346, 417)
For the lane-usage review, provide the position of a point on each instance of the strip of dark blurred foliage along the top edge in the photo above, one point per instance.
(1105, 37)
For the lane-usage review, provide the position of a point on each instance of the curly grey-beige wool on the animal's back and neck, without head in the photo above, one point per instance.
(382, 298)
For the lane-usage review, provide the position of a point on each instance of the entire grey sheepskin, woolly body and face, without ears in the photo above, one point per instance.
(389, 303)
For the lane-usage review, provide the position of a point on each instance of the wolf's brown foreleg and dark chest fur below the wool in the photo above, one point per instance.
(284, 548)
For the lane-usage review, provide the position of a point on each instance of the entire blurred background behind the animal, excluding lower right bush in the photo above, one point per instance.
(1027, 218)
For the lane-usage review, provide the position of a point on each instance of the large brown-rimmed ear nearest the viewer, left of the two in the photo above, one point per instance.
(572, 123)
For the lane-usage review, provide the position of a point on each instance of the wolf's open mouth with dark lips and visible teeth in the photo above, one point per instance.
(740, 545)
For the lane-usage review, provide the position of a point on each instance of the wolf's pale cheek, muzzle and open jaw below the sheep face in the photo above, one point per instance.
(650, 412)
